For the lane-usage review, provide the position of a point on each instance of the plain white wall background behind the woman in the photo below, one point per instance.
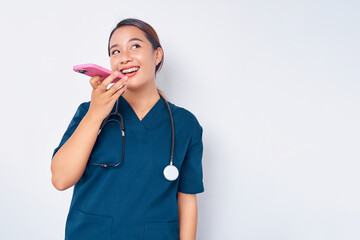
(274, 84)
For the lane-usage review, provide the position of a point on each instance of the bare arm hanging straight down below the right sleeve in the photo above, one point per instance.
(187, 205)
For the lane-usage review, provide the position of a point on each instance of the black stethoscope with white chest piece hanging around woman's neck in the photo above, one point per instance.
(171, 172)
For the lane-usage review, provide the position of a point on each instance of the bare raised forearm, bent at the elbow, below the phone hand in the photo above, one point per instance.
(69, 162)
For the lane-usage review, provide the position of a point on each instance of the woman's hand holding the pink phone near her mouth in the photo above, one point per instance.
(103, 99)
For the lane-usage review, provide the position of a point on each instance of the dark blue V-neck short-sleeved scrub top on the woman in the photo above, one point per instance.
(134, 200)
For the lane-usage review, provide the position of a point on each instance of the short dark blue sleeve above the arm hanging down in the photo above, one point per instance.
(191, 174)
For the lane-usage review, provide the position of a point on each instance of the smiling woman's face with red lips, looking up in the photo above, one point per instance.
(129, 48)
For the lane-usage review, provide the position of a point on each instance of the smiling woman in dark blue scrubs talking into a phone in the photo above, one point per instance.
(133, 200)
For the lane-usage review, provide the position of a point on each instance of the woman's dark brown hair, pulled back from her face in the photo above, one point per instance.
(150, 34)
